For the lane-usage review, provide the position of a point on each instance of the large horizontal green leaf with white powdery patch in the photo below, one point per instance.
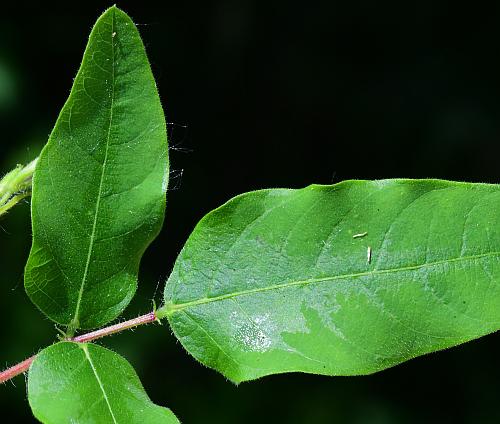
(282, 280)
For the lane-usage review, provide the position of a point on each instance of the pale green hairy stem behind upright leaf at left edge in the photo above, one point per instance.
(16, 185)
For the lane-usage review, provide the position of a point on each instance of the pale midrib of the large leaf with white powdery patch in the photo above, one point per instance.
(171, 308)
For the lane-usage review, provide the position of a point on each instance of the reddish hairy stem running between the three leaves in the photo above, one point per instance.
(84, 338)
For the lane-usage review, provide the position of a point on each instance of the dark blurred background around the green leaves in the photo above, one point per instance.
(273, 93)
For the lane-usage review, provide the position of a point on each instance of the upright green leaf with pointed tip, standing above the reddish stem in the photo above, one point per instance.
(99, 187)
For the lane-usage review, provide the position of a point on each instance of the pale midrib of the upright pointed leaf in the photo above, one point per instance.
(75, 321)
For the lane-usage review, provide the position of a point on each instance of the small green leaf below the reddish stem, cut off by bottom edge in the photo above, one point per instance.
(86, 383)
